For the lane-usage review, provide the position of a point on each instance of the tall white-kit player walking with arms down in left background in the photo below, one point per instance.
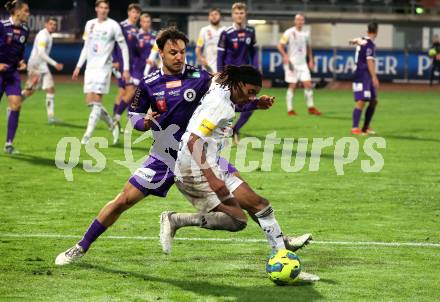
(100, 35)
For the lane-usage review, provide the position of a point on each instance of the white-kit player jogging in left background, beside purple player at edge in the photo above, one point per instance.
(39, 74)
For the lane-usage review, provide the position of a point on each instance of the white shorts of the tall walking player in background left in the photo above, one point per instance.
(97, 80)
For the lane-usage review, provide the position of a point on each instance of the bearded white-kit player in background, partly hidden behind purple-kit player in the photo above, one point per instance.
(206, 49)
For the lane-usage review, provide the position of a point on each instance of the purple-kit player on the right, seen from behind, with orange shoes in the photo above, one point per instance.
(365, 81)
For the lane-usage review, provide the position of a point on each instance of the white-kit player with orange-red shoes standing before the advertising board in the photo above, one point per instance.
(296, 68)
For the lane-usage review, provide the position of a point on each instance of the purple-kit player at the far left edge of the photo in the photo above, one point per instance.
(13, 36)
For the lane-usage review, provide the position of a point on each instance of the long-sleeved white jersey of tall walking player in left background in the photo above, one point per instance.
(99, 42)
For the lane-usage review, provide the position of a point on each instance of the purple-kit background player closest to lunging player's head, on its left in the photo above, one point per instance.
(146, 39)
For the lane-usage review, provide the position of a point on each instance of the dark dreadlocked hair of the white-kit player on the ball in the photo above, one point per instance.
(232, 76)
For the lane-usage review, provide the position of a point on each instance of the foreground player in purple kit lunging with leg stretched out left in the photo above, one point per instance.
(173, 93)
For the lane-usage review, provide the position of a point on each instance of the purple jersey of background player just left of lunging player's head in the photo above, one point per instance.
(145, 42)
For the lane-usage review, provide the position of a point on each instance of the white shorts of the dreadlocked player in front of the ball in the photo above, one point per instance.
(195, 187)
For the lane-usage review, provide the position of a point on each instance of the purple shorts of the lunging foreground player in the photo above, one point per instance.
(156, 178)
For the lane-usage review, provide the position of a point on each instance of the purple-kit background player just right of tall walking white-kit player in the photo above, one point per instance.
(126, 88)
